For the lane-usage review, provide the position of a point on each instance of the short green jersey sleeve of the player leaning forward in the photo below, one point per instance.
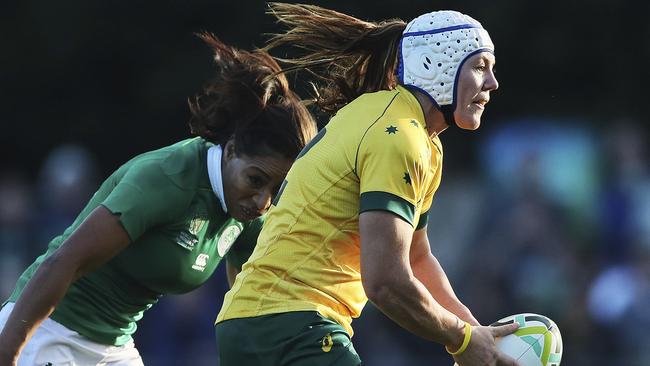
(145, 197)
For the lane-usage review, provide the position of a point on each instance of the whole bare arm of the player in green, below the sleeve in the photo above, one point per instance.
(99, 238)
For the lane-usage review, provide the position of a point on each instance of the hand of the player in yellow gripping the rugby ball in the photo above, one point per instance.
(482, 348)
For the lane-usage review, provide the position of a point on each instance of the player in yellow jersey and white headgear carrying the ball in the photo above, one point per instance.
(349, 223)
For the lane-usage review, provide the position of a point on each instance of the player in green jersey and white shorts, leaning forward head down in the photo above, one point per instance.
(162, 222)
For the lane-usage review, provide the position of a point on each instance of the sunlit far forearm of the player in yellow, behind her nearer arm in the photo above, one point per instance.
(429, 271)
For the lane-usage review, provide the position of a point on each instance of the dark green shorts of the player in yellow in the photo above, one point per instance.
(302, 338)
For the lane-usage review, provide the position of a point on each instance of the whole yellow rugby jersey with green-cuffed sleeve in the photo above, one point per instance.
(374, 154)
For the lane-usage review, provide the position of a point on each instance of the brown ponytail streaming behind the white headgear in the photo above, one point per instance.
(357, 56)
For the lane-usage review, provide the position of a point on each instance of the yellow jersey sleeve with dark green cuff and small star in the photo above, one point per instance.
(391, 166)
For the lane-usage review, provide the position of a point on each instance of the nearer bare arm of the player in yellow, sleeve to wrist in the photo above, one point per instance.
(390, 283)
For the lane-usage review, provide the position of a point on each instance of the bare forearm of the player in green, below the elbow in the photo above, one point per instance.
(39, 298)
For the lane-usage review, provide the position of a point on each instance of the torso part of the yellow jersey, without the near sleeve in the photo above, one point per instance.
(308, 252)
